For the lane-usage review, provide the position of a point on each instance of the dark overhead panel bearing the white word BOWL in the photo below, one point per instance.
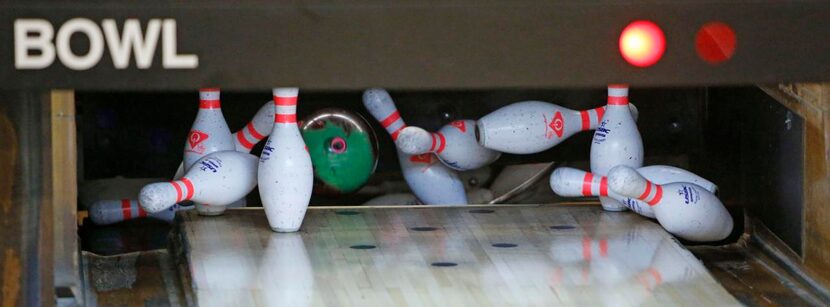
(435, 44)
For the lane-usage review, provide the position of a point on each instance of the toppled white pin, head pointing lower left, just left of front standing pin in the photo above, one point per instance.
(219, 178)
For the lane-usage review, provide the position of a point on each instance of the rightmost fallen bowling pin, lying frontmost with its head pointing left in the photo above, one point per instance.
(683, 209)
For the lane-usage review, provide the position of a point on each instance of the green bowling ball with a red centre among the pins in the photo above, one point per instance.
(343, 149)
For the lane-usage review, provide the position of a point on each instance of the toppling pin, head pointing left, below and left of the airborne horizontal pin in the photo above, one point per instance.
(455, 145)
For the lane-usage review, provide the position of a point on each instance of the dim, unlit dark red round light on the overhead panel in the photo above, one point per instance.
(715, 42)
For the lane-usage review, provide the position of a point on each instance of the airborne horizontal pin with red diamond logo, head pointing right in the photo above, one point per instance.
(533, 126)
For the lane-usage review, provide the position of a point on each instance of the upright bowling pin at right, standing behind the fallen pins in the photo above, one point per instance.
(616, 141)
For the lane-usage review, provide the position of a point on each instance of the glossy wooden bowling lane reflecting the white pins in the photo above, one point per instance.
(439, 256)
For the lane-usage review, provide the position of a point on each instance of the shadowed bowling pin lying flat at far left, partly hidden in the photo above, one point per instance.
(106, 212)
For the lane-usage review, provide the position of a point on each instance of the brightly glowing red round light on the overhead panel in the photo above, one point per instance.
(642, 43)
